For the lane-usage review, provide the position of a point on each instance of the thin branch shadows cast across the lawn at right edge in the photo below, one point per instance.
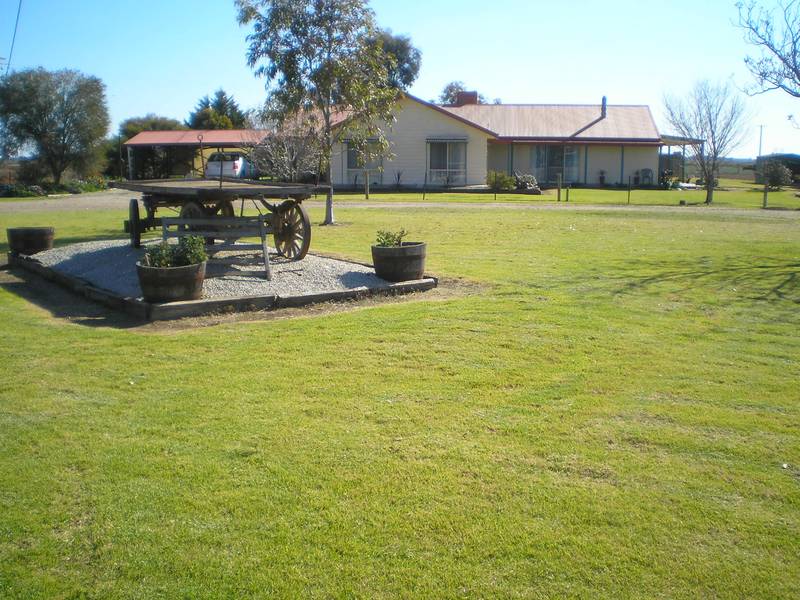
(767, 280)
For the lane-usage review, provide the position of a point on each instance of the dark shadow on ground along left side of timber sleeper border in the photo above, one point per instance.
(61, 303)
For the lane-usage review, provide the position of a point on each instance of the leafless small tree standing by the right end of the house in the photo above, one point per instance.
(714, 116)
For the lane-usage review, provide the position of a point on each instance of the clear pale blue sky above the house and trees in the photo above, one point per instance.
(161, 56)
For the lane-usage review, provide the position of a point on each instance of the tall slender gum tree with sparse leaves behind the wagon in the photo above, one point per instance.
(317, 59)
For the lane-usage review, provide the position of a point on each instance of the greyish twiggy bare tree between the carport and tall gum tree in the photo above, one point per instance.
(291, 151)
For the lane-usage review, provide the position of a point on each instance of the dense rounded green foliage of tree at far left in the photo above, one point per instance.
(60, 115)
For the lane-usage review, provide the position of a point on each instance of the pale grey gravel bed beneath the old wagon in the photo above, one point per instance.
(111, 265)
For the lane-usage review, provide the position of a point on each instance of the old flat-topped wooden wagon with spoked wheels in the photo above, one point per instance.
(212, 204)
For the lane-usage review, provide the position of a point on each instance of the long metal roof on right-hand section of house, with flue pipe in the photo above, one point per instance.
(562, 122)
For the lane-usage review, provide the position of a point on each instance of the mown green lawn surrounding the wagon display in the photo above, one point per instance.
(609, 417)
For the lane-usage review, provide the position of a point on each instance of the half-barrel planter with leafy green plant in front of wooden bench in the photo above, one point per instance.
(170, 272)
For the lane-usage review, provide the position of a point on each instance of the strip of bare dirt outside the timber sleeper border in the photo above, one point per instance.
(67, 307)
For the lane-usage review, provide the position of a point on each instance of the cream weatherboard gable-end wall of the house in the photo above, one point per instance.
(416, 123)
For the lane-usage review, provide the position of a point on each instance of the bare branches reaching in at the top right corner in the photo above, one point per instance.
(778, 39)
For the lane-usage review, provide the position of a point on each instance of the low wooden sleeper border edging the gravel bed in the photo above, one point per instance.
(151, 311)
